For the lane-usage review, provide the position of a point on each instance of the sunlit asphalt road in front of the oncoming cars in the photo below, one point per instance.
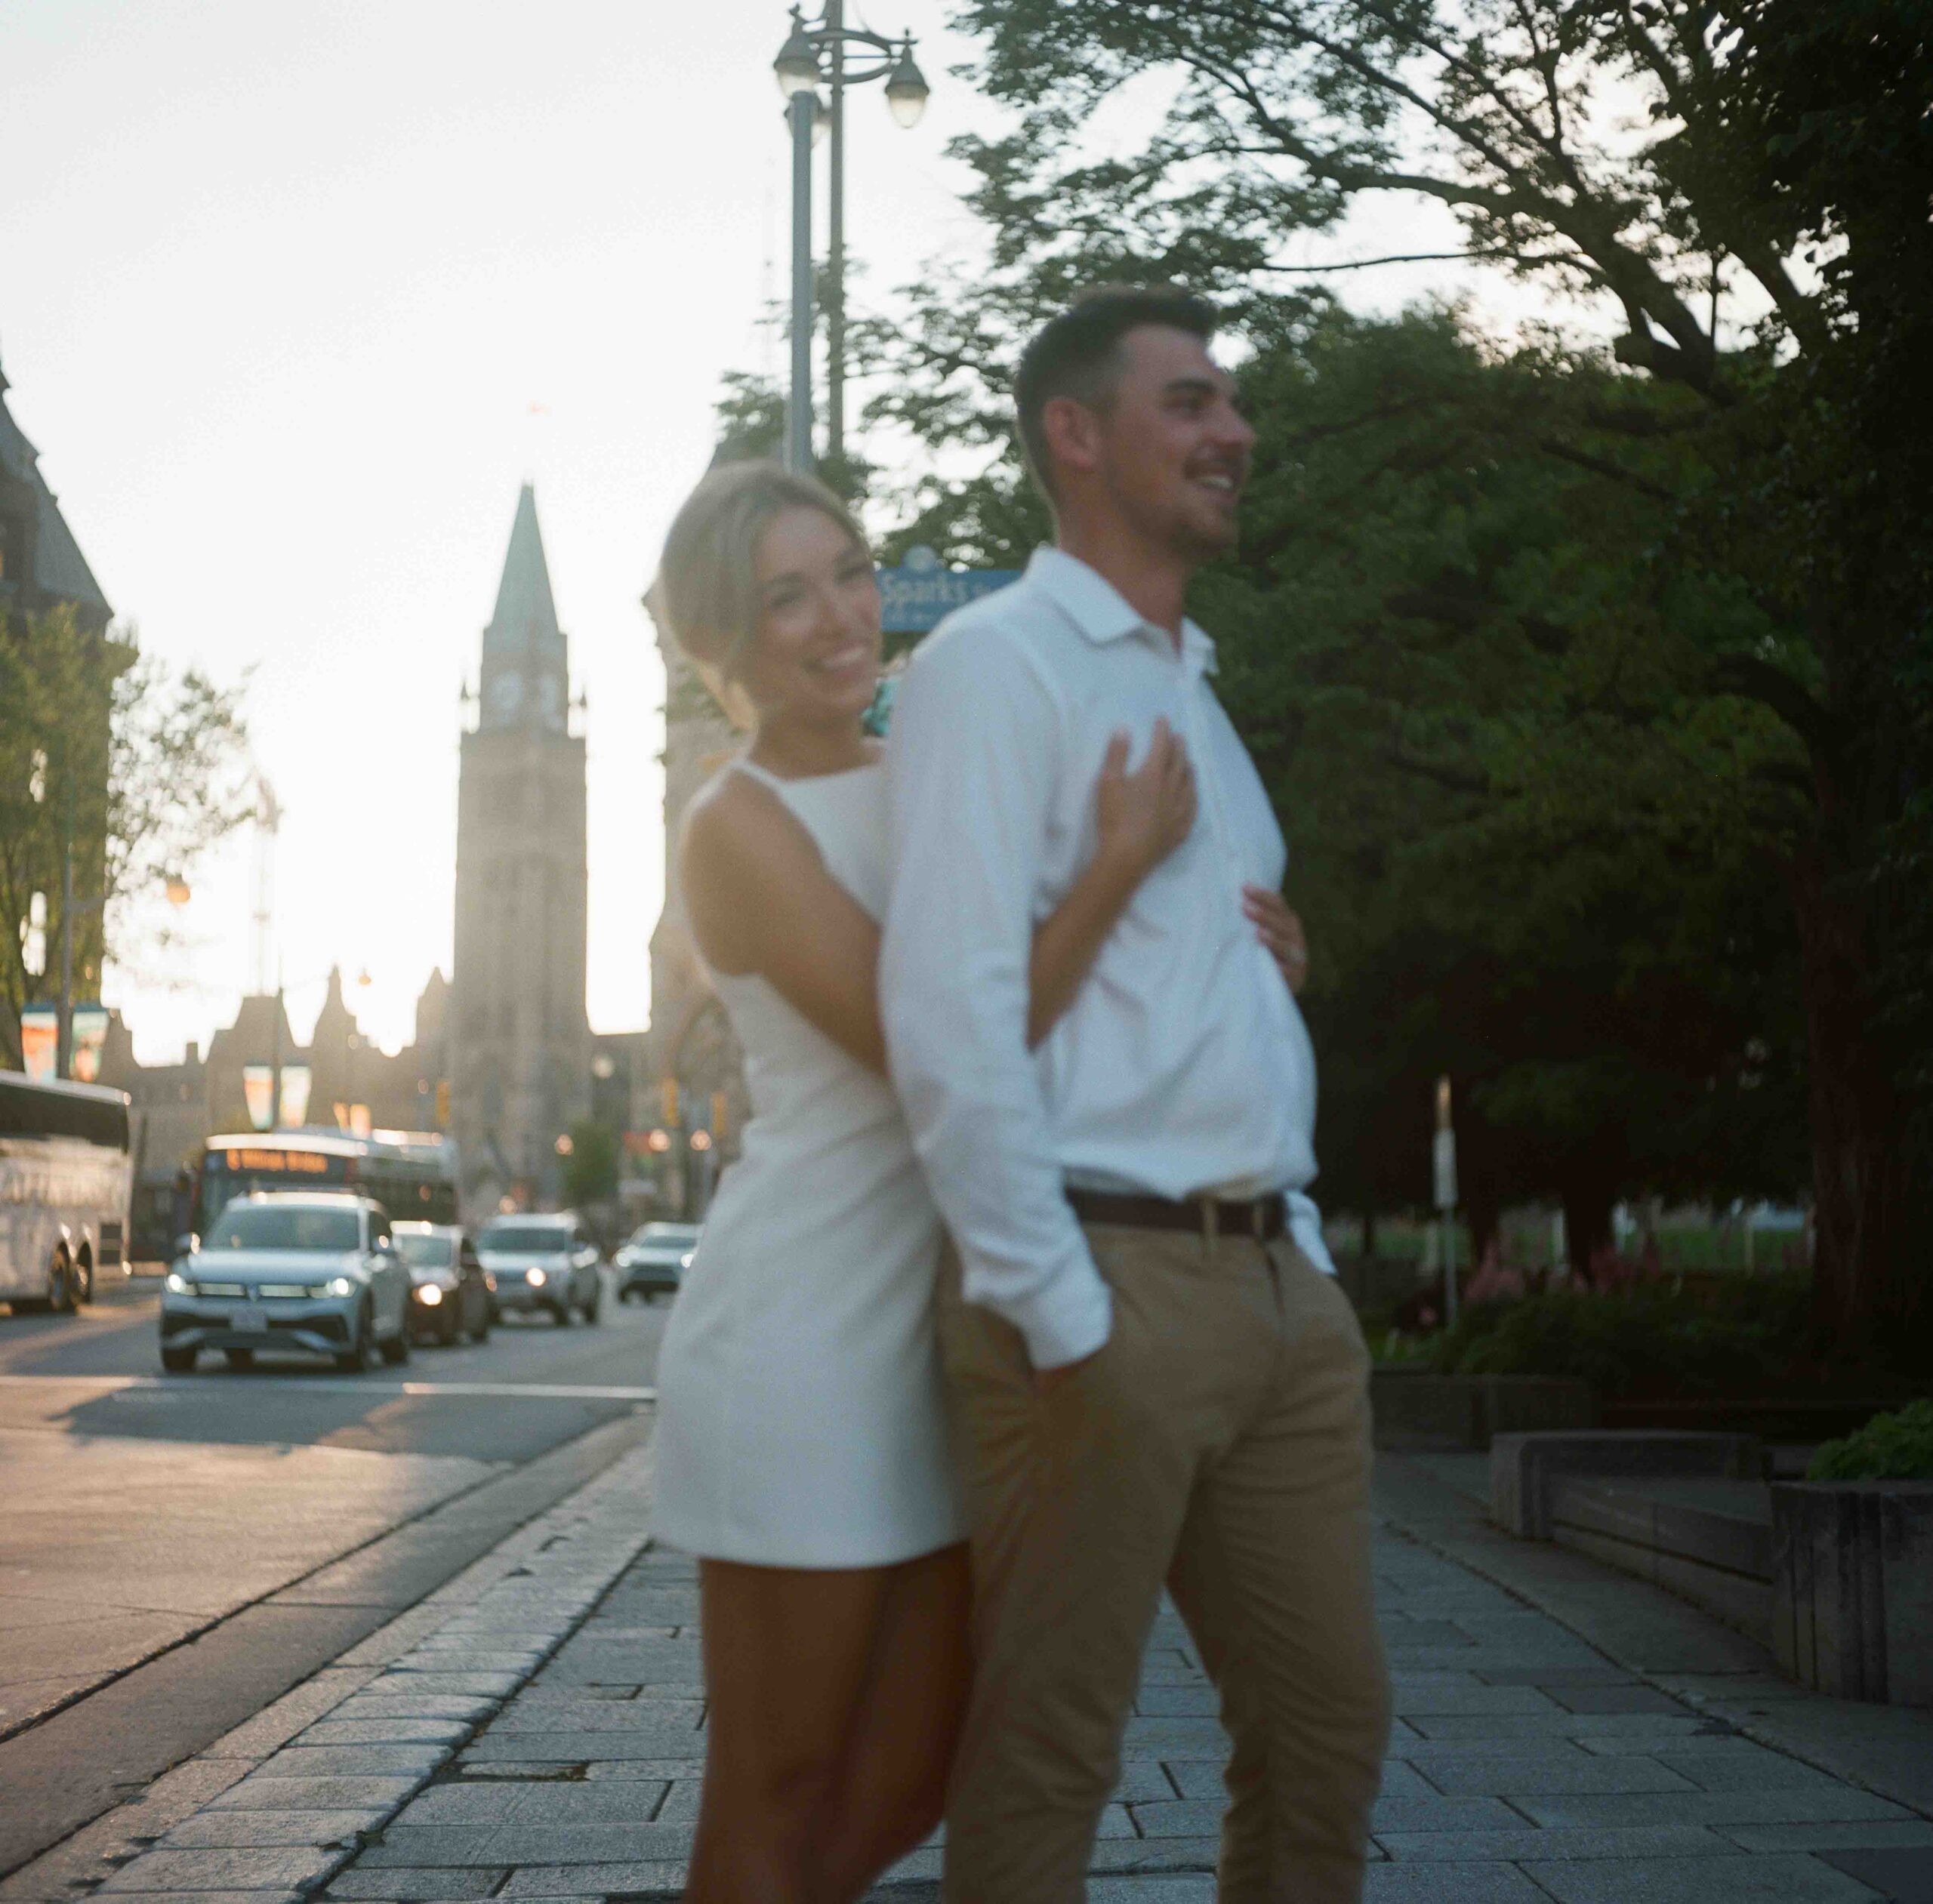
(177, 1551)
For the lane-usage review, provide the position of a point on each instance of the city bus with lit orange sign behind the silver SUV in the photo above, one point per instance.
(413, 1174)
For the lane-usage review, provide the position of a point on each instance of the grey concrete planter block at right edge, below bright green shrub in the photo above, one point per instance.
(1853, 1588)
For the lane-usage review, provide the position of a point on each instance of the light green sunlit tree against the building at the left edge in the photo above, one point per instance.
(138, 768)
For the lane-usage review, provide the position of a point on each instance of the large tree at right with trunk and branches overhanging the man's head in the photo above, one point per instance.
(1766, 310)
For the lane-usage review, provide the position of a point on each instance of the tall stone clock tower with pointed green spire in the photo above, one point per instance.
(519, 1037)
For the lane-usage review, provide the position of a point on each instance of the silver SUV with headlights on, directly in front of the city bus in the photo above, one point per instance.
(310, 1271)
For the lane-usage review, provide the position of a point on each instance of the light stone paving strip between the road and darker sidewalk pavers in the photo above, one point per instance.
(274, 1810)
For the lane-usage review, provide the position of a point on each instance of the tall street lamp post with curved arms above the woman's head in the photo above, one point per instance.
(809, 57)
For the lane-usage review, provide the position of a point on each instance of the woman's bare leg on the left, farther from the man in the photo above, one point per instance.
(790, 1656)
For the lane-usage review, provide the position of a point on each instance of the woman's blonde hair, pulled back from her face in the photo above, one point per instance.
(708, 571)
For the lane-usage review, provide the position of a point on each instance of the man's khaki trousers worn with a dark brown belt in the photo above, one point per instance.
(1217, 1445)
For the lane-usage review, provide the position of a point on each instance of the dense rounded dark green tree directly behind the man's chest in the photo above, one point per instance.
(1472, 683)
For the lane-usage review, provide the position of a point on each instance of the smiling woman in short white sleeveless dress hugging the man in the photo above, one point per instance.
(801, 1447)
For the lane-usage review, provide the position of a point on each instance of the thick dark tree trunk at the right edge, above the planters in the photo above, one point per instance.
(1872, 1186)
